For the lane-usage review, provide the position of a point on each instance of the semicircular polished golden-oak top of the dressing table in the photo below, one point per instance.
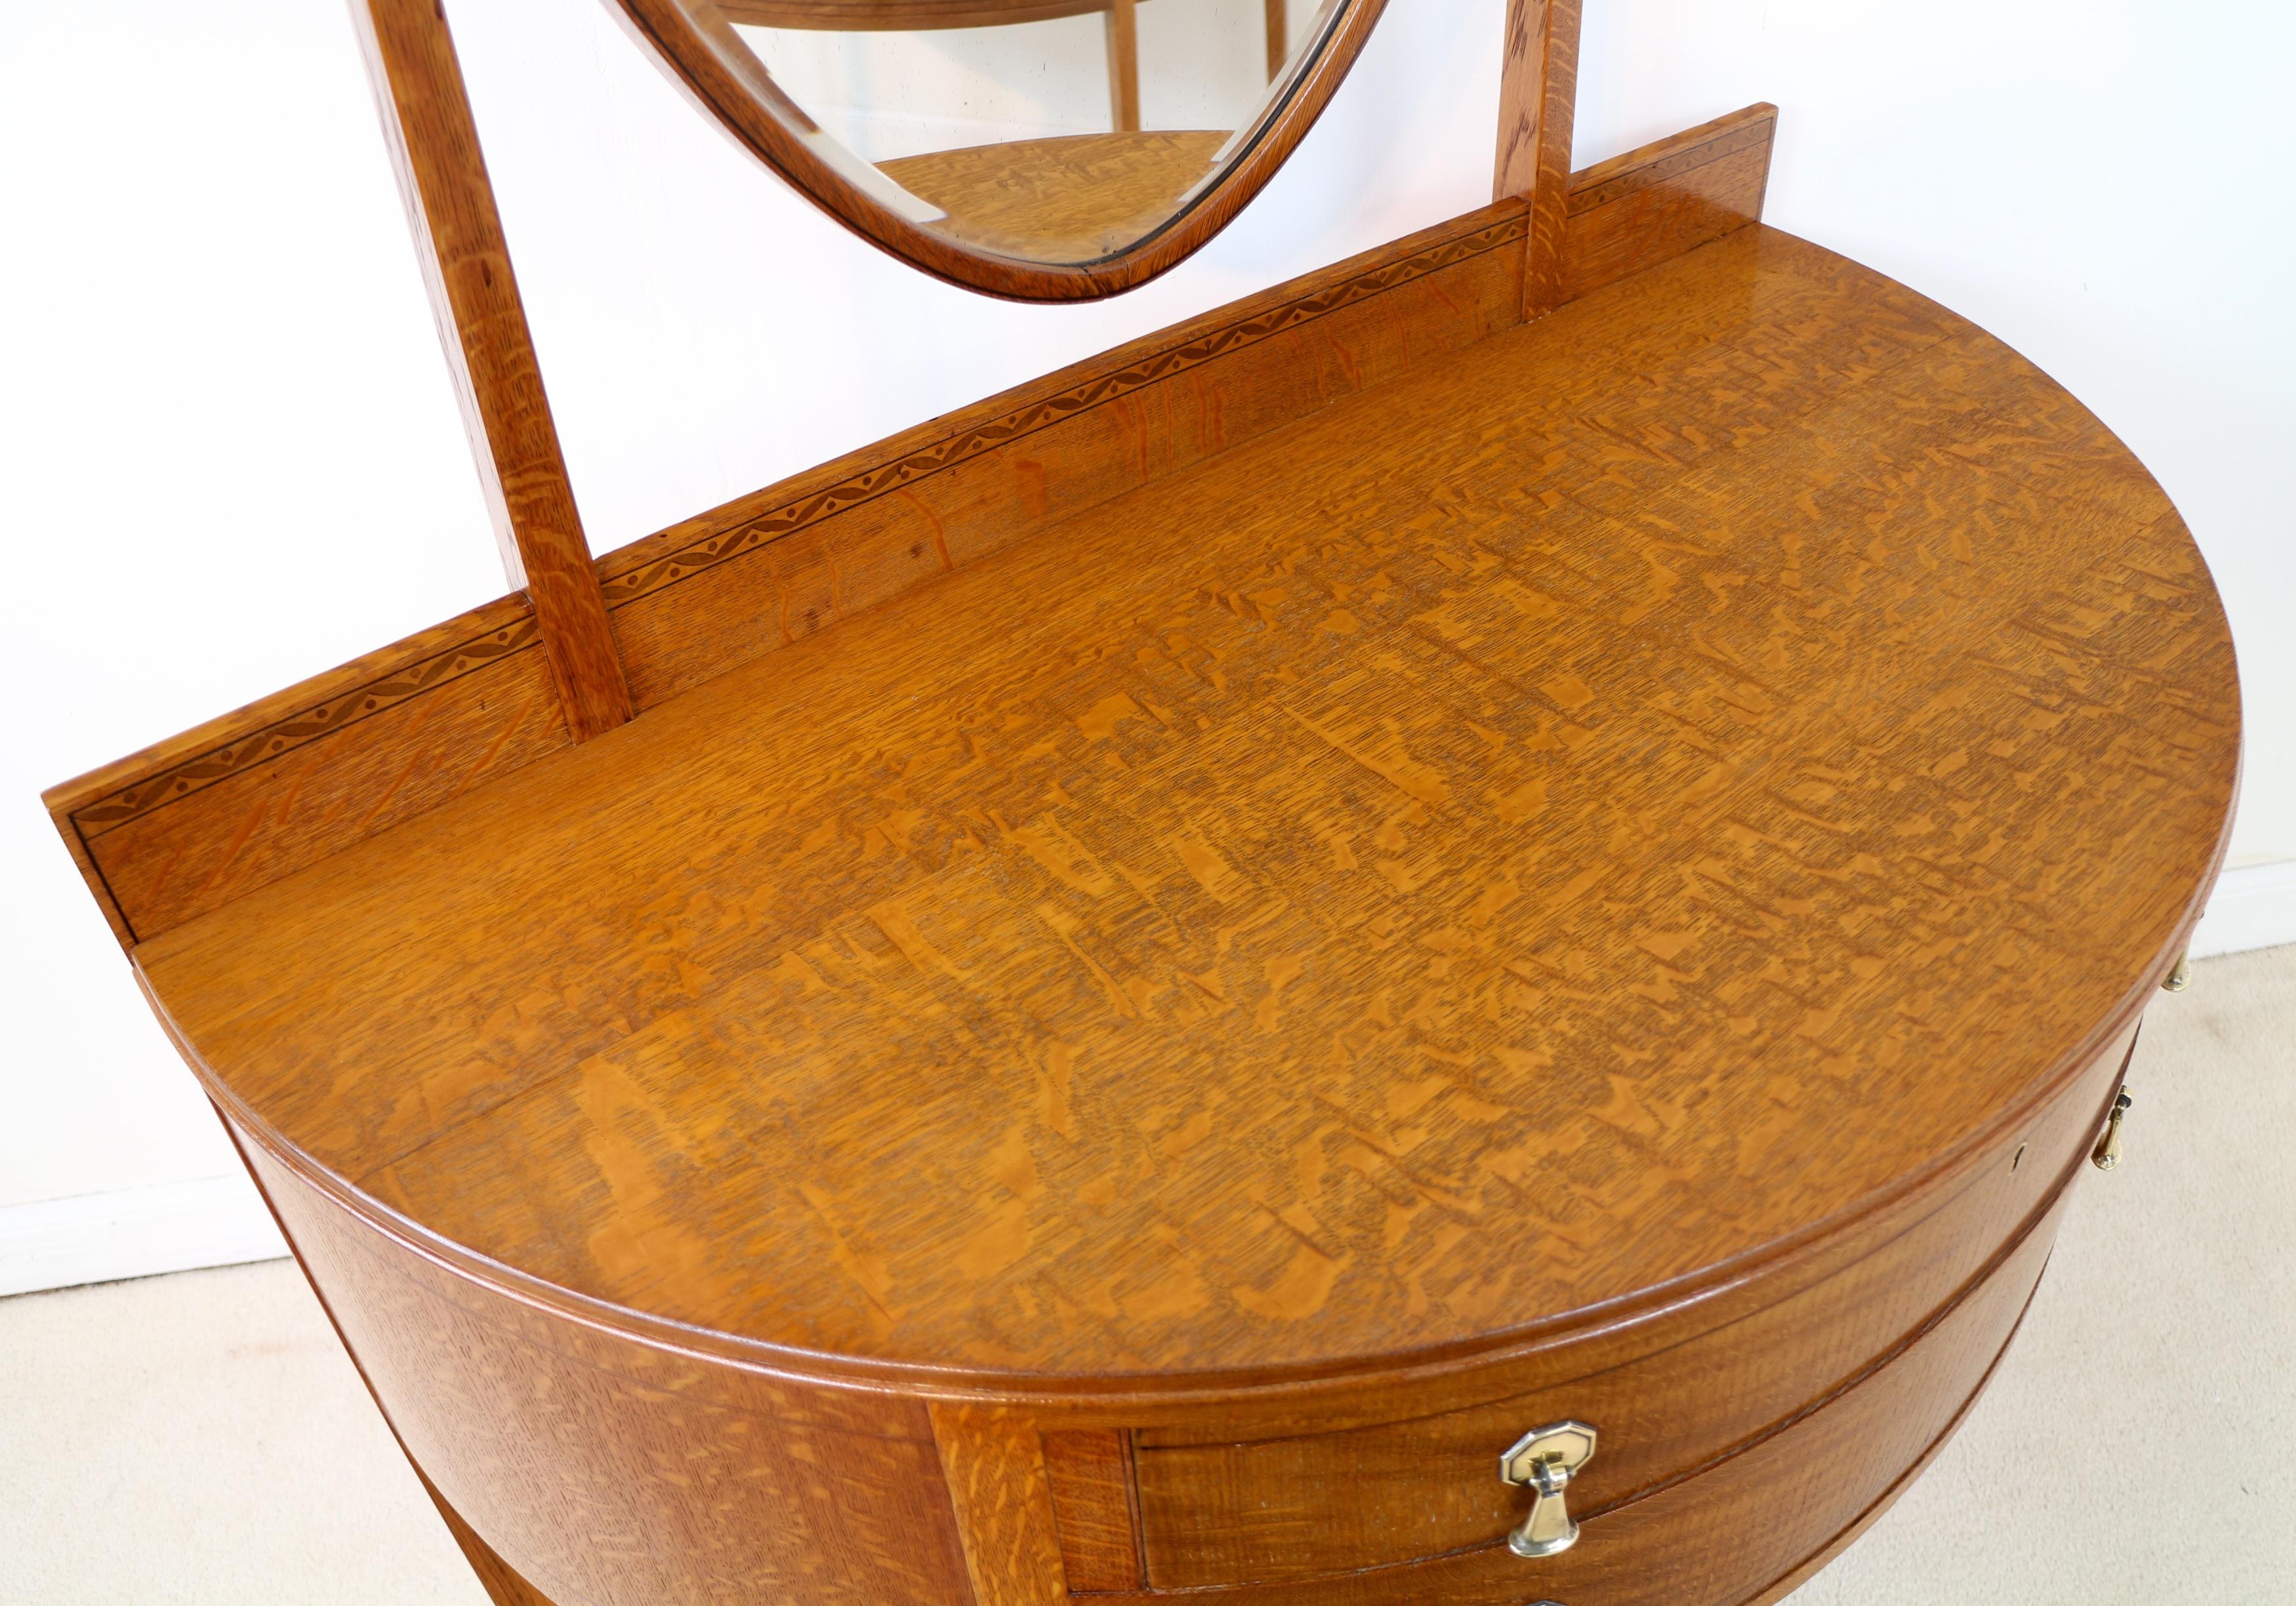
(1314, 911)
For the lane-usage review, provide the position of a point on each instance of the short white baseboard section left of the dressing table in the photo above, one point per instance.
(134, 1233)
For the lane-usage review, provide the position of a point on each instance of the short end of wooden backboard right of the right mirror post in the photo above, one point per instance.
(1661, 201)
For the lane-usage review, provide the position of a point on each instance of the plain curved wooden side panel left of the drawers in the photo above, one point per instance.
(603, 1490)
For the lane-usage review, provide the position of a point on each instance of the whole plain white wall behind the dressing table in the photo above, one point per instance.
(228, 454)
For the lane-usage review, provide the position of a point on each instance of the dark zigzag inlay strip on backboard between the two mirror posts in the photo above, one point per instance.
(956, 449)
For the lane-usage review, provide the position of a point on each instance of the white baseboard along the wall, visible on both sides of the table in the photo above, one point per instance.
(222, 1221)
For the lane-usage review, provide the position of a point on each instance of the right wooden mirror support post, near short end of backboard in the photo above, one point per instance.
(1537, 105)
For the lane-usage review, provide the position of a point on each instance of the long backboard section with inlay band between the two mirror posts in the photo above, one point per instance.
(779, 566)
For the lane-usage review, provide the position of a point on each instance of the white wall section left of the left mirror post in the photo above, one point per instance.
(228, 458)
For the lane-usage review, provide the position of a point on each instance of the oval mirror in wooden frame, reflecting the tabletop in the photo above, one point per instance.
(1044, 150)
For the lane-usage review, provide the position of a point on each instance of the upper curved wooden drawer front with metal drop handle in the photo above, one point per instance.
(1372, 1497)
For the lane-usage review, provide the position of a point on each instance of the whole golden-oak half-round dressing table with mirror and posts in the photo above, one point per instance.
(1452, 934)
